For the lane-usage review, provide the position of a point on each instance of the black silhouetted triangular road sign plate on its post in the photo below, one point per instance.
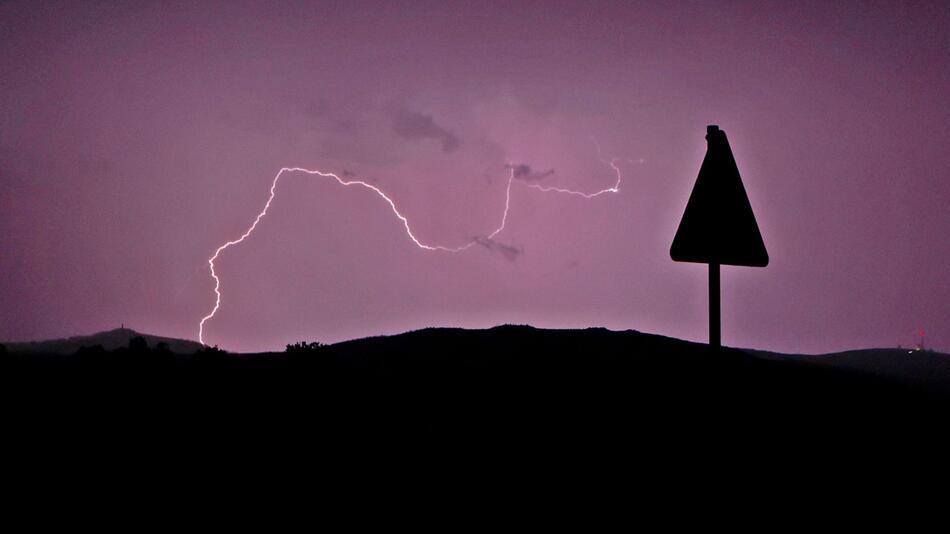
(718, 226)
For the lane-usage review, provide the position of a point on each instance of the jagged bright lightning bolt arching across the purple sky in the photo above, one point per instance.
(402, 218)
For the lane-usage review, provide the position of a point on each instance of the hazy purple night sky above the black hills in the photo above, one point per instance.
(135, 140)
